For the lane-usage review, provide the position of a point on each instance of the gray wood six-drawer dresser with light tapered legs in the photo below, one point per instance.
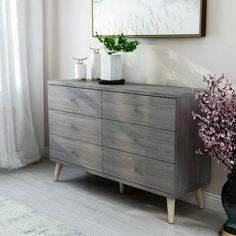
(135, 134)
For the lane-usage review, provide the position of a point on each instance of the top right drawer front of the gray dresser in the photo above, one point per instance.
(136, 109)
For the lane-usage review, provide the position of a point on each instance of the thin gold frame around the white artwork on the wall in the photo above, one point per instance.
(201, 33)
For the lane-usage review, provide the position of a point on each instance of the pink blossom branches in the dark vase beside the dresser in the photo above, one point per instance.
(217, 120)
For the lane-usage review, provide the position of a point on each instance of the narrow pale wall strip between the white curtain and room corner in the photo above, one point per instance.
(35, 66)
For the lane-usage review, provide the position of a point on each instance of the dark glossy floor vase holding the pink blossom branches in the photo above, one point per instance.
(228, 195)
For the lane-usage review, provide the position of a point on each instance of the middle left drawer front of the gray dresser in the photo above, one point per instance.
(83, 128)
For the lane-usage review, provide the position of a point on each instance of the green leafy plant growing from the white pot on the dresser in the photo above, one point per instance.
(117, 43)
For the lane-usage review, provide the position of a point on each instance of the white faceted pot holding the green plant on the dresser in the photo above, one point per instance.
(111, 67)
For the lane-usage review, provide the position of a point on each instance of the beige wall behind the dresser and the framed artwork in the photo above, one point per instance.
(179, 62)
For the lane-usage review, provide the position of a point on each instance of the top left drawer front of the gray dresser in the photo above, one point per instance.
(75, 100)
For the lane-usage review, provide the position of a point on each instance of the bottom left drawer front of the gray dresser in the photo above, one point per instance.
(76, 152)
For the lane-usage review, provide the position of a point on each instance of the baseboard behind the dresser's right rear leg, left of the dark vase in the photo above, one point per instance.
(211, 201)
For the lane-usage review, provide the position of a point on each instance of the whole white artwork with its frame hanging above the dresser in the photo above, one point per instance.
(154, 18)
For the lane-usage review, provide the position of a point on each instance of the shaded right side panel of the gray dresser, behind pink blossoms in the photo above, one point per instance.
(192, 171)
